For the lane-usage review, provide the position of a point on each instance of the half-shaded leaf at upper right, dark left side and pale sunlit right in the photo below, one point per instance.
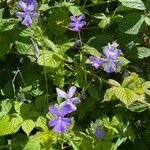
(131, 23)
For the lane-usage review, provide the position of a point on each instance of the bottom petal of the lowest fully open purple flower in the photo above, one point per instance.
(60, 127)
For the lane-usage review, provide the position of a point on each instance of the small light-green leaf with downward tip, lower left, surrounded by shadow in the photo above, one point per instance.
(28, 126)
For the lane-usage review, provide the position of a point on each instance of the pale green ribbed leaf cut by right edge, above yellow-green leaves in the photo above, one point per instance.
(143, 52)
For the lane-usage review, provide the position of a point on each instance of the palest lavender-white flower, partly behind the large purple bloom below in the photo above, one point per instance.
(68, 97)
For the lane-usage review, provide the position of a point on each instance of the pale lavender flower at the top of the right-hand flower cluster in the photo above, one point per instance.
(111, 51)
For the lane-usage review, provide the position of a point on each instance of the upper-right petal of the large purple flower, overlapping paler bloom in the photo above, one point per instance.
(64, 109)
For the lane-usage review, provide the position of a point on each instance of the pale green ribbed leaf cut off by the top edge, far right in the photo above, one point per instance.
(136, 4)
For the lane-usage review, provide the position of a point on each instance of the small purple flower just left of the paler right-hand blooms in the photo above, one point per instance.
(96, 61)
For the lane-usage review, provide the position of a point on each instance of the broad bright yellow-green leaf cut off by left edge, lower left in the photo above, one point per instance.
(10, 125)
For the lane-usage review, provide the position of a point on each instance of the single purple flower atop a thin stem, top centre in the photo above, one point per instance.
(77, 22)
